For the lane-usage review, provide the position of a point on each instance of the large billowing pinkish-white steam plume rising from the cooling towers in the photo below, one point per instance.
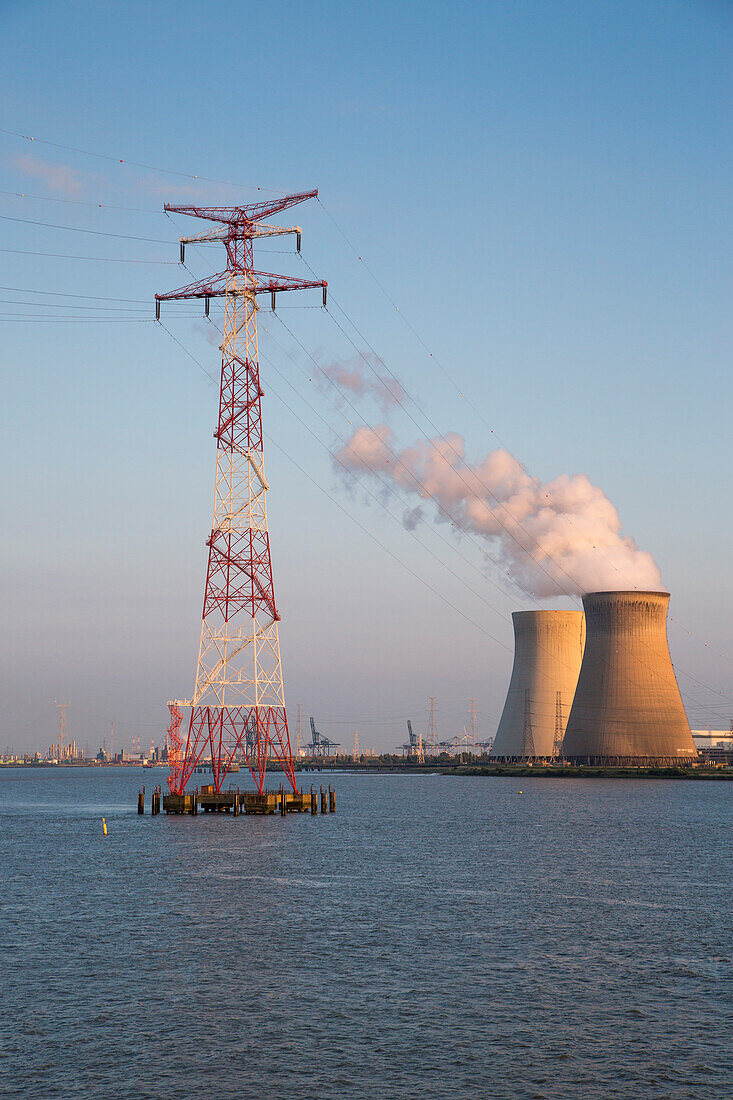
(557, 537)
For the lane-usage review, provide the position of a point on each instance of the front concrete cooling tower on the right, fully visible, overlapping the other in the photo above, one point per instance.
(628, 707)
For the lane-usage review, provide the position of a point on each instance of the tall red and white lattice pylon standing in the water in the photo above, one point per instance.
(238, 708)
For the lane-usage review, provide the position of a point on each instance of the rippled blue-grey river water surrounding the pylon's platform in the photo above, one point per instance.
(437, 938)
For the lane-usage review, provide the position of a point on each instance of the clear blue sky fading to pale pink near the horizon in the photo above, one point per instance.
(543, 190)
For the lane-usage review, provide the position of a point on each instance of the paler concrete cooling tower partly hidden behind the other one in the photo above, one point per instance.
(549, 648)
